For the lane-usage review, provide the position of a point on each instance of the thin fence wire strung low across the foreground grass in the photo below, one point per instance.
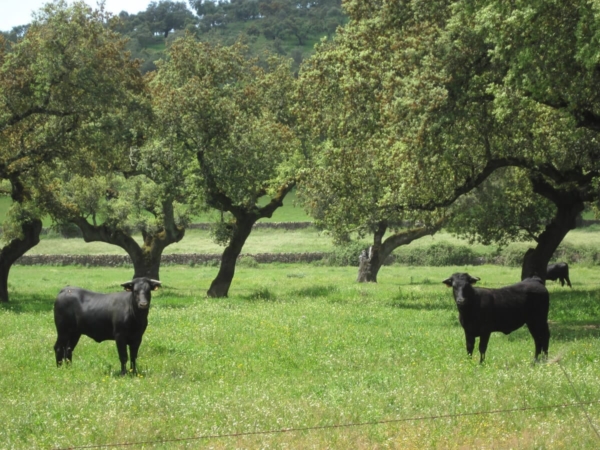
(580, 404)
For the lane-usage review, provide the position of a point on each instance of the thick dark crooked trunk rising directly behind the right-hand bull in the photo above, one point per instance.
(569, 206)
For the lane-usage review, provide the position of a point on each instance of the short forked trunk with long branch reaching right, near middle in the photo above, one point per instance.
(369, 266)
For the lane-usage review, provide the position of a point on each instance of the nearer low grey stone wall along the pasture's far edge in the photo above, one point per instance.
(180, 258)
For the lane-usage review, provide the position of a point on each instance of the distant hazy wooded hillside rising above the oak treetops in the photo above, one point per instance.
(285, 27)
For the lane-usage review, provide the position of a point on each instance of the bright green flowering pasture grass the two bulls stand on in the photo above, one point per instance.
(300, 347)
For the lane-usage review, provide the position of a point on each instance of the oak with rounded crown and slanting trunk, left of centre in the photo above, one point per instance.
(234, 117)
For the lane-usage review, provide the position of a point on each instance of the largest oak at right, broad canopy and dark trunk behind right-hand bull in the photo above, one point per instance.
(457, 90)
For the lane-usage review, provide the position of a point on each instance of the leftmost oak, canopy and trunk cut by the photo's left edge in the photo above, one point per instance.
(64, 89)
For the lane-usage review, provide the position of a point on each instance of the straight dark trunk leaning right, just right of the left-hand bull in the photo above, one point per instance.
(242, 229)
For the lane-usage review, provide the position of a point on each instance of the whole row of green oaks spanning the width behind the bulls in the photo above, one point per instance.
(427, 114)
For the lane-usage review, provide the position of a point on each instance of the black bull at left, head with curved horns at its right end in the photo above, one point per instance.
(121, 316)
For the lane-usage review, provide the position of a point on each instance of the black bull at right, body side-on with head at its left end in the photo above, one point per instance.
(482, 311)
